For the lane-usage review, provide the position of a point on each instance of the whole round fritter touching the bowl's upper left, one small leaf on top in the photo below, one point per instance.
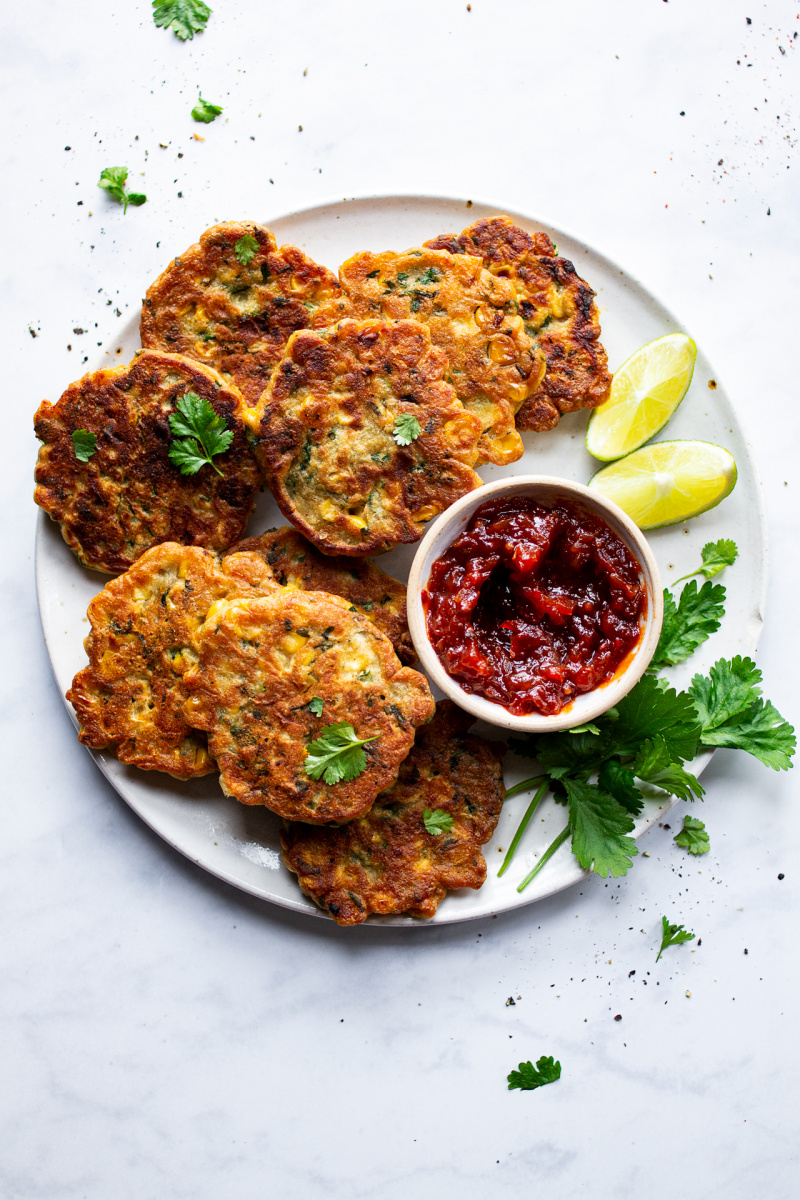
(329, 436)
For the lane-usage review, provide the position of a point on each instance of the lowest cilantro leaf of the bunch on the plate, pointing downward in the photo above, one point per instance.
(599, 827)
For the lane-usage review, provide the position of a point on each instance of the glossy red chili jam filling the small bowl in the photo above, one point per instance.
(532, 605)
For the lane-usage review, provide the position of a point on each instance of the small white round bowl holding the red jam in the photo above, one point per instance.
(548, 490)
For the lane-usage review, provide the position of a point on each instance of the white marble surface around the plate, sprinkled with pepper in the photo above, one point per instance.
(166, 1036)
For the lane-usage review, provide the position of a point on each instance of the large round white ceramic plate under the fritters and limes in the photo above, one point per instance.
(240, 844)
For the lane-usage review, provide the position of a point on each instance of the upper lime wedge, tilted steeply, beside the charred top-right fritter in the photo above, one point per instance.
(645, 394)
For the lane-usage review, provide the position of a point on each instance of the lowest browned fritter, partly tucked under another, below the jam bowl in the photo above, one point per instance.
(387, 862)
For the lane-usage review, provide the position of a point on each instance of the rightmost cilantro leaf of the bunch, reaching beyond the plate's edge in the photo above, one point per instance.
(733, 713)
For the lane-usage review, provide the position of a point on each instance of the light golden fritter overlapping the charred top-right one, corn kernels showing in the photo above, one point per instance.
(494, 364)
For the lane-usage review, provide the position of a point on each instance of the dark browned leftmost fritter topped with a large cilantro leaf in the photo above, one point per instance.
(129, 496)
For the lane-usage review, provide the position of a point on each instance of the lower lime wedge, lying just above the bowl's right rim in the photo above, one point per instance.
(669, 482)
